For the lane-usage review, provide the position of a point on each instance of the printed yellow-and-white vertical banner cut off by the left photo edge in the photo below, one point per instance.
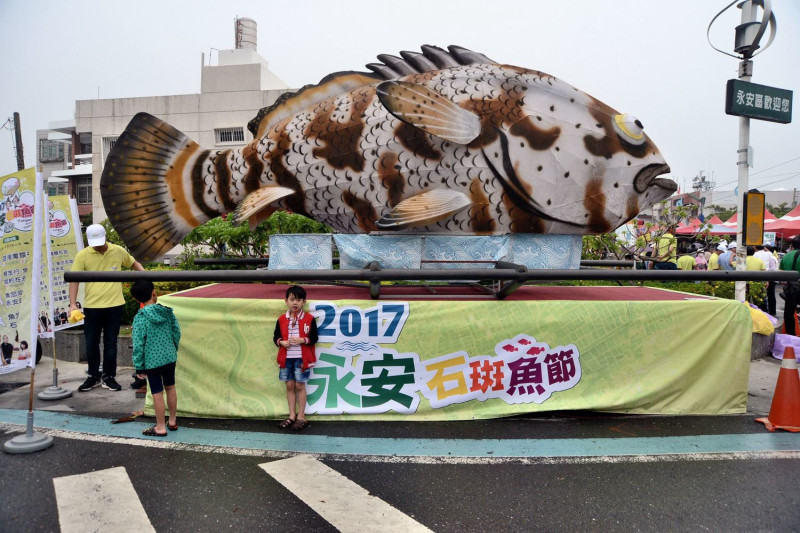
(18, 325)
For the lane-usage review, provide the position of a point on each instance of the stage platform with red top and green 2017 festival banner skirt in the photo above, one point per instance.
(456, 353)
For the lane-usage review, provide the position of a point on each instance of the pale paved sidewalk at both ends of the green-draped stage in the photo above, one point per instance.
(113, 404)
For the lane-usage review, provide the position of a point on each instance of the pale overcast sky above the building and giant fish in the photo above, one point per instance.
(647, 58)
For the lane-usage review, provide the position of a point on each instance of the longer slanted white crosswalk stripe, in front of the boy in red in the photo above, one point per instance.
(346, 505)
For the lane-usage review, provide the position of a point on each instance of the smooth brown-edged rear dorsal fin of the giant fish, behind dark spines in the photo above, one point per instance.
(289, 104)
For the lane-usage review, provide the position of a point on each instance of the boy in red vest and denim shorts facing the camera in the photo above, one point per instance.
(295, 336)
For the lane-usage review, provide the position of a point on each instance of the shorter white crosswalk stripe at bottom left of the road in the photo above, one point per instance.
(99, 501)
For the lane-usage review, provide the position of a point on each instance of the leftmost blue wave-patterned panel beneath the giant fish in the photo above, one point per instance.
(300, 251)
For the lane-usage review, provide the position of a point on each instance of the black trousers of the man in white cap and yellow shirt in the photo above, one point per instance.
(106, 321)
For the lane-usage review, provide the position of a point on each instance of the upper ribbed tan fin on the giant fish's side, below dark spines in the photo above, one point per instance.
(429, 111)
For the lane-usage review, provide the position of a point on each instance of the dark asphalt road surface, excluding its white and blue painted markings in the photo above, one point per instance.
(210, 489)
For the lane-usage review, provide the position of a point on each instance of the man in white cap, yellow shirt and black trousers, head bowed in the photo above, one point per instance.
(103, 305)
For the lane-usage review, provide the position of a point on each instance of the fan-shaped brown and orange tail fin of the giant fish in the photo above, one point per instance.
(144, 184)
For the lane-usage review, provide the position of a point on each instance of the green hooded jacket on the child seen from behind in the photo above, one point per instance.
(156, 335)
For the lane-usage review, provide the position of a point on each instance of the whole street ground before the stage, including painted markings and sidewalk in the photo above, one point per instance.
(552, 472)
